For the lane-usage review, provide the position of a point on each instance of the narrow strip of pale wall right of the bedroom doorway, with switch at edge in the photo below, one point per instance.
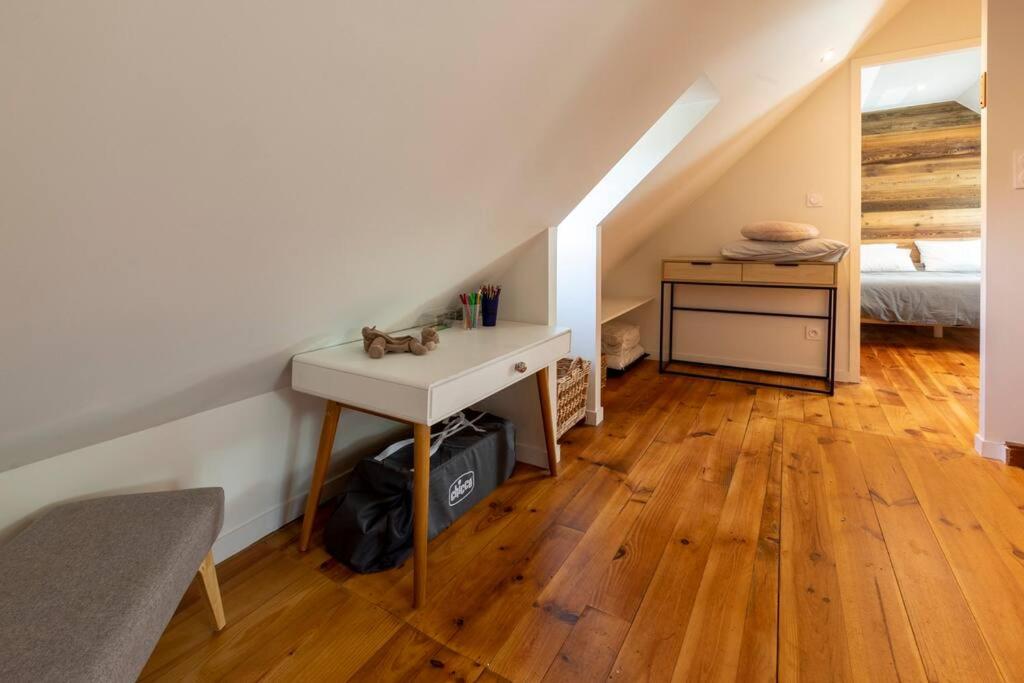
(1003, 371)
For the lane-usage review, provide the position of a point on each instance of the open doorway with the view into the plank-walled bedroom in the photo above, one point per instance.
(918, 219)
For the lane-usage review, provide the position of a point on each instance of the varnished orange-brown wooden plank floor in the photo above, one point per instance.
(706, 531)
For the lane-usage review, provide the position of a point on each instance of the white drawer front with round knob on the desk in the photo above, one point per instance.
(462, 392)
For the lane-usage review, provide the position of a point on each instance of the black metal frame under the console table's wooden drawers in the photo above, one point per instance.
(829, 377)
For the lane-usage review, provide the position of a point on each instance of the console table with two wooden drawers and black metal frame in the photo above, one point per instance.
(726, 273)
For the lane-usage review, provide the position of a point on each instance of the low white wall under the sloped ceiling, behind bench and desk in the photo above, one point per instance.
(259, 450)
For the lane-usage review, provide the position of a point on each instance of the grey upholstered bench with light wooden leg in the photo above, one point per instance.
(89, 588)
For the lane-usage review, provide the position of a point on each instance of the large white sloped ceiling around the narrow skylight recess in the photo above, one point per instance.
(193, 192)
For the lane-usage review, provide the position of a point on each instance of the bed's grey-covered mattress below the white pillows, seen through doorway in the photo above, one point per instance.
(937, 300)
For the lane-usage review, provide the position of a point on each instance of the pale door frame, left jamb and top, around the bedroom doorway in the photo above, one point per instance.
(856, 218)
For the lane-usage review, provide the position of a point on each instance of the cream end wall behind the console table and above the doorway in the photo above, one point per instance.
(809, 151)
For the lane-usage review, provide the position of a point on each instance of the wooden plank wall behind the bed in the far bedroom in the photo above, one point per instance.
(921, 175)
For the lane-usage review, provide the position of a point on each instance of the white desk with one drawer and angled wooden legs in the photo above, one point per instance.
(467, 367)
